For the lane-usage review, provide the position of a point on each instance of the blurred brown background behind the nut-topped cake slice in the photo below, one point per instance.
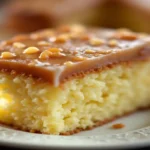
(23, 16)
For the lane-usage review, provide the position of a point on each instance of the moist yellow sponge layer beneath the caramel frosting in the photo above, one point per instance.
(76, 105)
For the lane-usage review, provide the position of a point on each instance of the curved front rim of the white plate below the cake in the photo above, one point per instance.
(138, 138)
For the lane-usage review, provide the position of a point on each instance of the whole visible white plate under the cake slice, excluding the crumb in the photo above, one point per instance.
(136, 133)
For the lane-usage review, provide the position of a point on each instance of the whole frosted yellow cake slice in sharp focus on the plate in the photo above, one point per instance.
(72, 78)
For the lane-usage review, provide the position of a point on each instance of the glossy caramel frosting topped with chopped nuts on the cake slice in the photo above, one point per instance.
(57, 54)
